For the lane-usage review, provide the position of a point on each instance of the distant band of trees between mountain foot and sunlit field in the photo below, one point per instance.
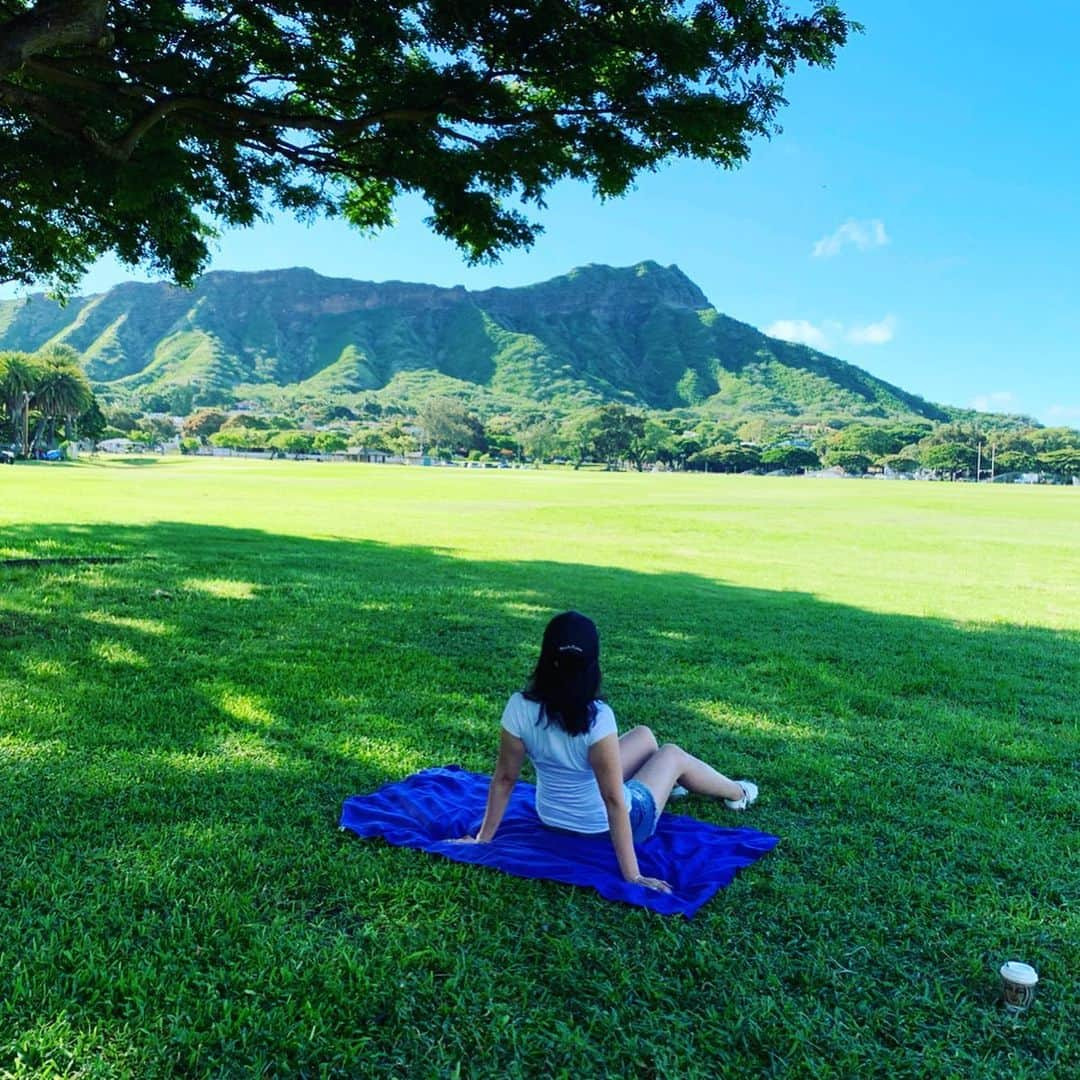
(619, 437)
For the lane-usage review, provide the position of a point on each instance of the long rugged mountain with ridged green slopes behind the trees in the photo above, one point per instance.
(643, 335)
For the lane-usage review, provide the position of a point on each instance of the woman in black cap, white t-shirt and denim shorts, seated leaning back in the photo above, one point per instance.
(589, 780)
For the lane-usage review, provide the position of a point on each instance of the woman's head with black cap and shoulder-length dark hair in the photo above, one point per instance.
(568, 677)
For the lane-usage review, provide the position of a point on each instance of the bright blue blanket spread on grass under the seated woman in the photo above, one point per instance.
(433, 807)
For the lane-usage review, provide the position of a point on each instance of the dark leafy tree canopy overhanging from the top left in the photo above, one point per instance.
(136, 127)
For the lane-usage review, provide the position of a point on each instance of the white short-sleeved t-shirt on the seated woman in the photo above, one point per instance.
(568, 793)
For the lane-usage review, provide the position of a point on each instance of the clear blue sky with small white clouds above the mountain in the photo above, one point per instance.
(917, 217)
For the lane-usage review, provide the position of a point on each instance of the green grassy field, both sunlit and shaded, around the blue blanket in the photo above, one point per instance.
(896, 665)
